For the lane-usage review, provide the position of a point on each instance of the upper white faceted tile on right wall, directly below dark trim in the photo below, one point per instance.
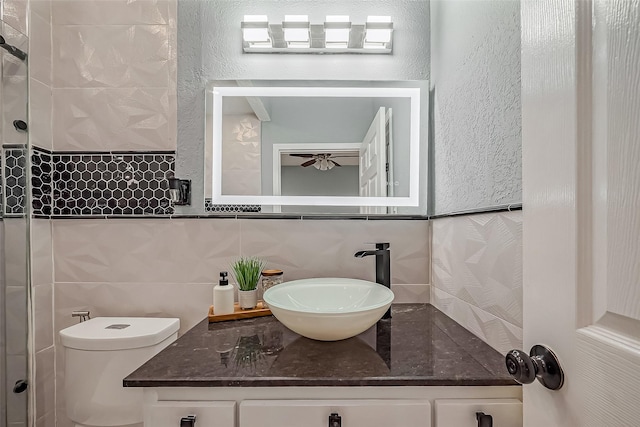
(478, 259)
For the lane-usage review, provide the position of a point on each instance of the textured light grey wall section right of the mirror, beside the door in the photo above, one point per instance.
(475, 73)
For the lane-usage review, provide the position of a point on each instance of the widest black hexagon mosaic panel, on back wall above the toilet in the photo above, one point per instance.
(112, 184)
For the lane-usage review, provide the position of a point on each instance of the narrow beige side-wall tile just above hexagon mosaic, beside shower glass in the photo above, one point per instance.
(40, 104)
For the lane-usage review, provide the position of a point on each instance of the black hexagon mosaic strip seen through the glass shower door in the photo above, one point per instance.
(15, 182)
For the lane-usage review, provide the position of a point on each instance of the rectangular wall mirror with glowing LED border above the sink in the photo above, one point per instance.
(322, 147)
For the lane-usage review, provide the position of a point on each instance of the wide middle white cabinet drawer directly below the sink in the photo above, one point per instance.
(353, 413)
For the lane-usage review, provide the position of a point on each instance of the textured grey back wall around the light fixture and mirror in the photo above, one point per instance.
(210, 48)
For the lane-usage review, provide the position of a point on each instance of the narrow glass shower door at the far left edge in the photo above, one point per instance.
(14, 229)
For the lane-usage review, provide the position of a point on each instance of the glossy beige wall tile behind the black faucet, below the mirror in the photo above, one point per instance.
(326, 248)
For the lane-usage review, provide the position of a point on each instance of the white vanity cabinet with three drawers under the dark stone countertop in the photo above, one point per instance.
(361, 406)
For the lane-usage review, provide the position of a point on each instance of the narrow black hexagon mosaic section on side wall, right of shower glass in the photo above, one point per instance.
(41, 177)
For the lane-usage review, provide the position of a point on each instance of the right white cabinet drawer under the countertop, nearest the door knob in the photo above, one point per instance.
(462, 412)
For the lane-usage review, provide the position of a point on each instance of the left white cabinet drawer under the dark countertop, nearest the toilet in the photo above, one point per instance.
(208, 414)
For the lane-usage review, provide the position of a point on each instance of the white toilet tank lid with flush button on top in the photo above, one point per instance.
(118, 333)
